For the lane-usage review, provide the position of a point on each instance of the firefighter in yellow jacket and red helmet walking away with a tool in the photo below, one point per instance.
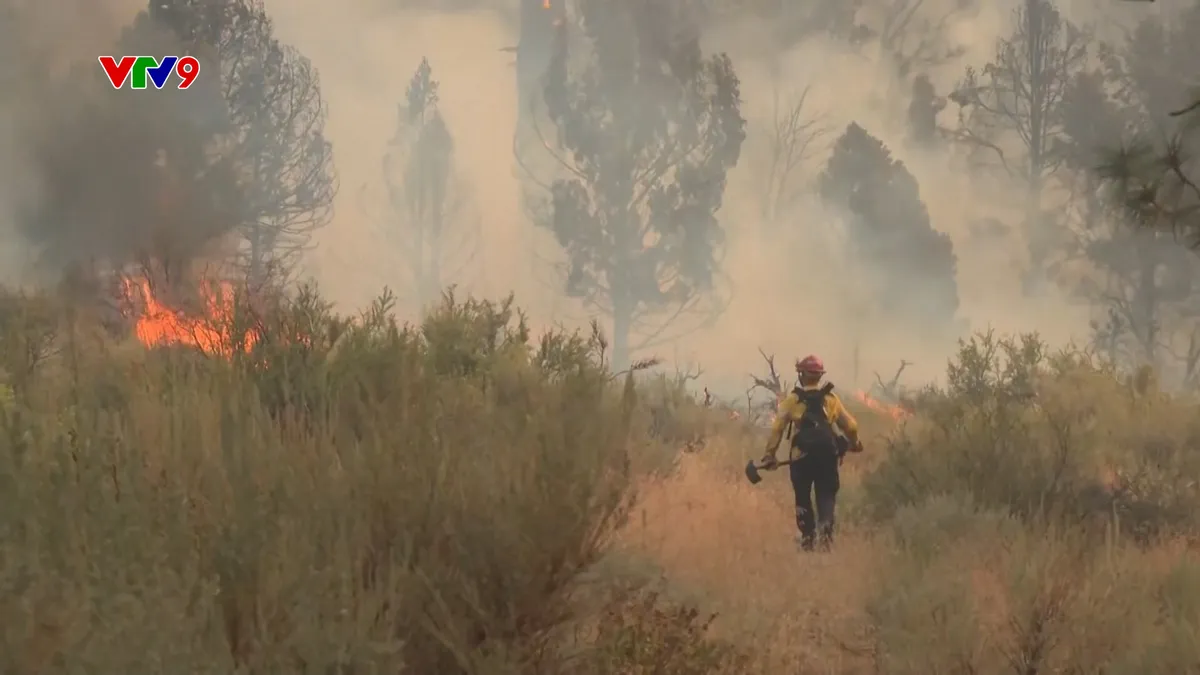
(815, 415)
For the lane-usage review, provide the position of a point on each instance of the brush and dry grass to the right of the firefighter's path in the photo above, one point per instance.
(1035, 517)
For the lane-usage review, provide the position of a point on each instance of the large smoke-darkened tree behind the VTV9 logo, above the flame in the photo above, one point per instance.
(241, 156)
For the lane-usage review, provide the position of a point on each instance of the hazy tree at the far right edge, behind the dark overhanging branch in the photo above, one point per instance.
(1143, 204)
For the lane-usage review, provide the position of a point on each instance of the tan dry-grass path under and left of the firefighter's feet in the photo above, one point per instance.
(734, 546)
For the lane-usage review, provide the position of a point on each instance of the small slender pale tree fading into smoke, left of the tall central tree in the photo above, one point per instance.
(428, 204)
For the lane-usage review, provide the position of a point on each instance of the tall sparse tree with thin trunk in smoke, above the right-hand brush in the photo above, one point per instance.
(1021, 95)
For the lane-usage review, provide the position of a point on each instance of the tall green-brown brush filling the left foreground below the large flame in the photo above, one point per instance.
(346, 497)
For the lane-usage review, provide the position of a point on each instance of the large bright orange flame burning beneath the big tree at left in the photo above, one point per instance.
(159, 325)
